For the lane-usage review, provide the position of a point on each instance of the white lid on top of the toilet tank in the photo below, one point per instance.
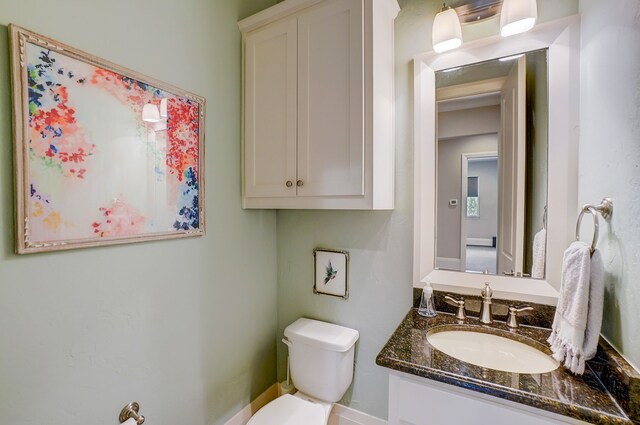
(321, 334)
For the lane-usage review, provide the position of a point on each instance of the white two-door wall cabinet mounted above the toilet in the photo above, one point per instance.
(318, 105)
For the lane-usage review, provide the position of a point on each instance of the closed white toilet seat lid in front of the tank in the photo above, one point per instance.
(289, 410)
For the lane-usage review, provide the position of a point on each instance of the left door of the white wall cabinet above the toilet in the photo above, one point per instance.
(271, 110)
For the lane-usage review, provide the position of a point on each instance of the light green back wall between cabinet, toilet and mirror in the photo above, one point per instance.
(380, 243)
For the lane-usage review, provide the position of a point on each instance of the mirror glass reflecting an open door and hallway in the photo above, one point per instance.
(492, 166)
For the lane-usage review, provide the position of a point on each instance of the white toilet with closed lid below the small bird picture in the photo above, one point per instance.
(321, 363)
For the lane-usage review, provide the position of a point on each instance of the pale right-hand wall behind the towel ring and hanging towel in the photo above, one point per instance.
(610, 155)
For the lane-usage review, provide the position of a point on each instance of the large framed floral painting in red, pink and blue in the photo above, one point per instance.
(103, 155)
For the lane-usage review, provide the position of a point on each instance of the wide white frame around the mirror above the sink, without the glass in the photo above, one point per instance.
(562, 39)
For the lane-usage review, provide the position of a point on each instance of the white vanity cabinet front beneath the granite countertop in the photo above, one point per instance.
(419, 401)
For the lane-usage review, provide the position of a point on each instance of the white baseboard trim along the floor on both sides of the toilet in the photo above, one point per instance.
(340, 415)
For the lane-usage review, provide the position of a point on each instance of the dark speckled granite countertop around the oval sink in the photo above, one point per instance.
(559, 391)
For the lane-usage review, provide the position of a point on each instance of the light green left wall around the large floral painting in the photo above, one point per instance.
(187, 327)
